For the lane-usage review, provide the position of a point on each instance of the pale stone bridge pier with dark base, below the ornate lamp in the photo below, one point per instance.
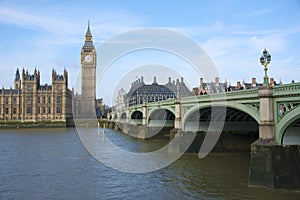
(272, 165)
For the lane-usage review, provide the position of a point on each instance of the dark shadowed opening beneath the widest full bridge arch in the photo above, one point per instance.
(239, 129)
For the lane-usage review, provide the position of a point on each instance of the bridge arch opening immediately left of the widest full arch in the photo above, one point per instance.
(161, 117)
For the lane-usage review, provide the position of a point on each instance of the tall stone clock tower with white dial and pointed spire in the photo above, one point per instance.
(88, 76)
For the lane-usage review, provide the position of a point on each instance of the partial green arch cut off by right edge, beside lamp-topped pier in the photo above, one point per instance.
(287, 121)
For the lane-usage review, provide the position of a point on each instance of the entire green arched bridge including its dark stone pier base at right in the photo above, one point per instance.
(272, 112)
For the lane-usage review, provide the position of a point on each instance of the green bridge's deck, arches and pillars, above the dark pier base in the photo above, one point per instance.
(275, 109)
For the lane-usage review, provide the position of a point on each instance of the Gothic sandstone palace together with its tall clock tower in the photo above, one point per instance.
(30, 101)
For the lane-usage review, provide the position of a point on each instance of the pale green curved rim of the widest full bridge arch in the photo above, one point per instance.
(229, 106)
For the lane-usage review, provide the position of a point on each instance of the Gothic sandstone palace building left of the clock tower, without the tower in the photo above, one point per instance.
(30, 101)
